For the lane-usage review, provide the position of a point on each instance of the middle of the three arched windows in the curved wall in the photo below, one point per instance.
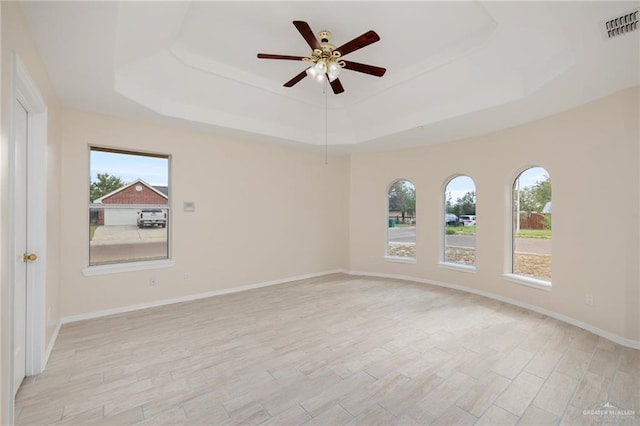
(459, 225)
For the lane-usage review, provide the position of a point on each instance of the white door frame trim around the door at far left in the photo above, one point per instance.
(26, 92)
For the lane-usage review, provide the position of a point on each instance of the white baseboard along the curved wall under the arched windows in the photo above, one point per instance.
(634, 344)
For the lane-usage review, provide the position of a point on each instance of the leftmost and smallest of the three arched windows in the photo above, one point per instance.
(401, 220)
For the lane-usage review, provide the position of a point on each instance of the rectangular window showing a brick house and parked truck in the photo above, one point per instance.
(129, 210)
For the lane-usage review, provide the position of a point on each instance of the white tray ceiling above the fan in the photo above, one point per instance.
(454, 69)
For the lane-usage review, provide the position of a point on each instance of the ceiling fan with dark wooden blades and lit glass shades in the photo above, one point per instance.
(327, 59)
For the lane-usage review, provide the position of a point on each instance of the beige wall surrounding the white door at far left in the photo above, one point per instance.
(16, 39)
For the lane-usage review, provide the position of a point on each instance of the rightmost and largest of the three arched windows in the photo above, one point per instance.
(531, 227)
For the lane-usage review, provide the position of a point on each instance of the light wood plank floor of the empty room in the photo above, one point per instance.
(330, 351)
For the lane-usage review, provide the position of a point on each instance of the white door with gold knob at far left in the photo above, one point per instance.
(20, 238)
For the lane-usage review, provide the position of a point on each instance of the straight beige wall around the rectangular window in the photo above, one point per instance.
(263, 213)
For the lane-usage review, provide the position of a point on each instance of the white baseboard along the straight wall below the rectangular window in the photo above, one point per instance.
(131, 308)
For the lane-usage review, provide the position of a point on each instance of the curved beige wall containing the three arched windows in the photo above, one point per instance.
(591, 154)
